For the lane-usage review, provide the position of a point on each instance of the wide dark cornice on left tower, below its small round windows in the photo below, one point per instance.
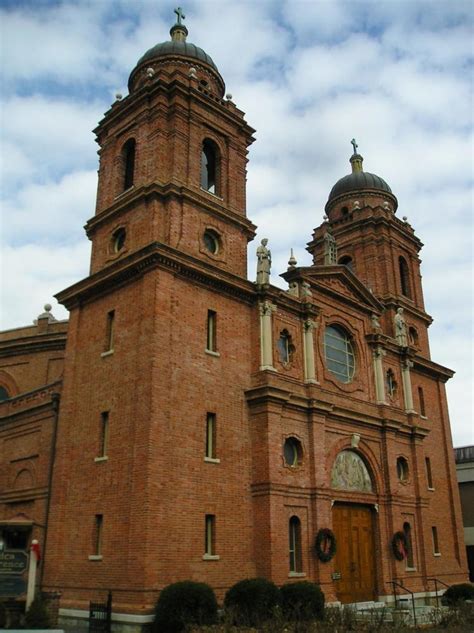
(156, 255)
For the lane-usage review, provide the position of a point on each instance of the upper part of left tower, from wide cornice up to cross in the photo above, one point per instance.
(173, 157)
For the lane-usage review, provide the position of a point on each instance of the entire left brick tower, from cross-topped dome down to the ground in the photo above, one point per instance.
(156, 366)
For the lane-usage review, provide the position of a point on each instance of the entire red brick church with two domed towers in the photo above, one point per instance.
(189, 423)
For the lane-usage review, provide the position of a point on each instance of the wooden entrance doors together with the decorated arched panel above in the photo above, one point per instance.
(353, 525)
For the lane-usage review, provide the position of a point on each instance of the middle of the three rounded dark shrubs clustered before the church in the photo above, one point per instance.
(252, 601)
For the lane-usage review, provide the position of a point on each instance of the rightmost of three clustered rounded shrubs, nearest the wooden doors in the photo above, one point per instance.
(302, 601)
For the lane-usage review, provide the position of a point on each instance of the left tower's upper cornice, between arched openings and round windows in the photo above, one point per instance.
(136, 195)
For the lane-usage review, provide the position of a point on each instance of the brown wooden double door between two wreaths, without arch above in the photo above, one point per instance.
(354, 563)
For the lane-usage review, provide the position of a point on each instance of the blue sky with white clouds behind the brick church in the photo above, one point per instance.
(396, 74)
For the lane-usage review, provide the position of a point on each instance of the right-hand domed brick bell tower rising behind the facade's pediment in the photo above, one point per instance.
(374, 244)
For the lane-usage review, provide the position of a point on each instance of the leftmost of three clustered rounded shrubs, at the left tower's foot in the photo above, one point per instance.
(185, 603)
